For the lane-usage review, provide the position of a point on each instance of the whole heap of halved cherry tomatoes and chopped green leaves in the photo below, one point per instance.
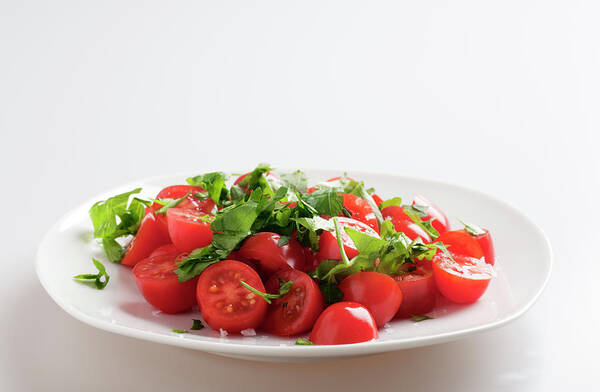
(326, 264)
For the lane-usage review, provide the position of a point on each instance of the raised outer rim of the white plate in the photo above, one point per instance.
(291, 351)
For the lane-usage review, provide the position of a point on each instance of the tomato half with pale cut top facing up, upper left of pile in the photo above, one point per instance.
(189, 229)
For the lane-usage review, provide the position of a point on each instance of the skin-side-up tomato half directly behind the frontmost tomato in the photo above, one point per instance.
(376, 291)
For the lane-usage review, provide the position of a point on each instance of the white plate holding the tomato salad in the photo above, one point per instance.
(524, 260)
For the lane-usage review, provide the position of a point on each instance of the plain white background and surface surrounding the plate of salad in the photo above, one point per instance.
(502, 96)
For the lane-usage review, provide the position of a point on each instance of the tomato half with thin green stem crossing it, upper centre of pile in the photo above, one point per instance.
(328, 246)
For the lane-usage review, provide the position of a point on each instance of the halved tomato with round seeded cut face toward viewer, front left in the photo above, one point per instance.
(224, 302)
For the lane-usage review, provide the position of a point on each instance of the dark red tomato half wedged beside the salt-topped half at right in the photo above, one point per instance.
(418, 292)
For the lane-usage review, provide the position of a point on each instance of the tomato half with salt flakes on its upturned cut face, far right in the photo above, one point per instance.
(463, 280)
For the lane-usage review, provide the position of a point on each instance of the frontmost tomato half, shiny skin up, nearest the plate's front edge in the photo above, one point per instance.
(344, 323)
